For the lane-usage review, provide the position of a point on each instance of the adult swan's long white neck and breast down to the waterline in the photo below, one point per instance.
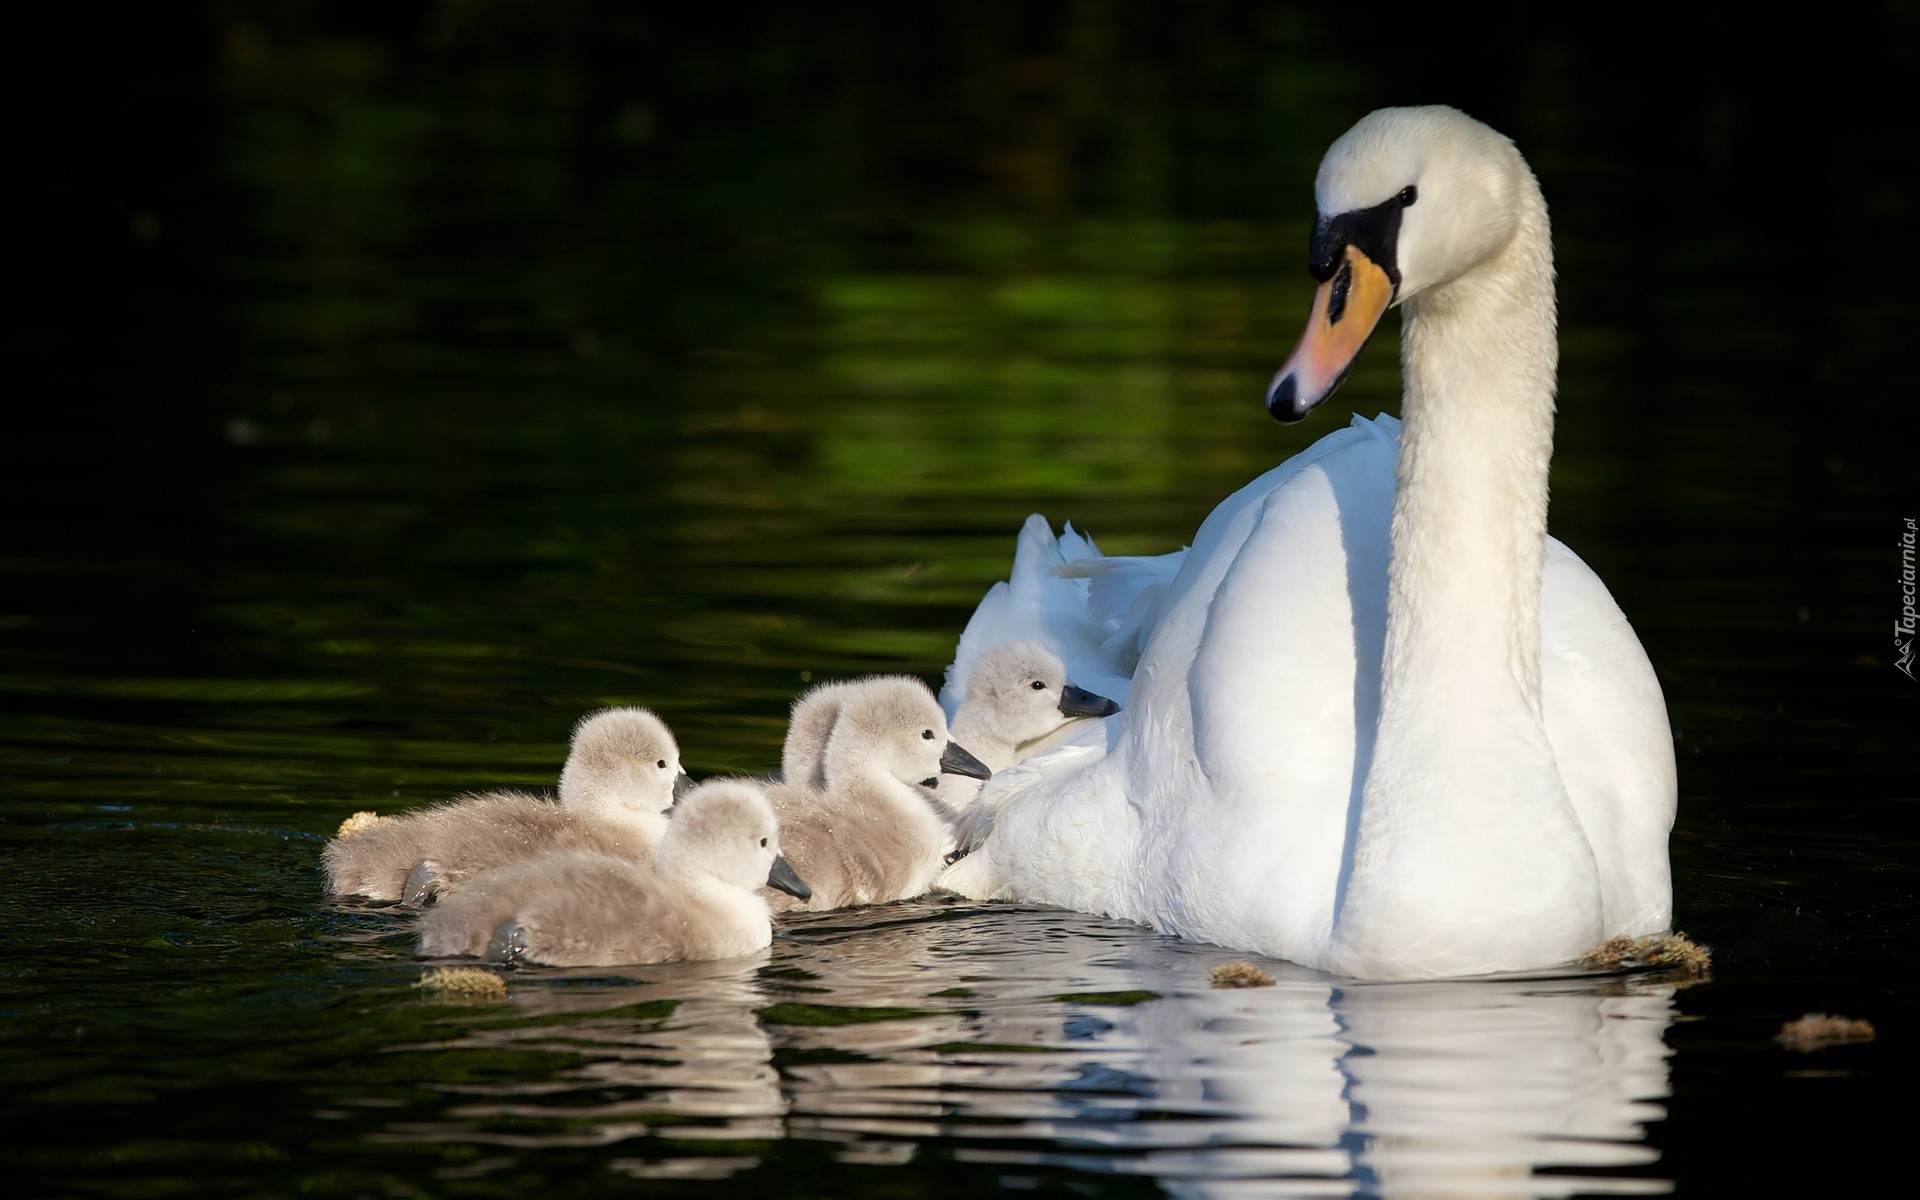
(1470, 855)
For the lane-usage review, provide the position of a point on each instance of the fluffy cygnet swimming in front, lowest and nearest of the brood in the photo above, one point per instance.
(698, 900)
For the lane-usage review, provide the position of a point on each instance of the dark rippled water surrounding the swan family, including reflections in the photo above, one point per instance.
(398, 383)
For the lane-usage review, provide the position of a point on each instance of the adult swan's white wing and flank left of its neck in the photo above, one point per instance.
(1220, 809)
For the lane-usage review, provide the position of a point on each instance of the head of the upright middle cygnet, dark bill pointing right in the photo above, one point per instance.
(896, 729)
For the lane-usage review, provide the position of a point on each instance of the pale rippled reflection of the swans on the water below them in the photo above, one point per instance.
(1042, 1040)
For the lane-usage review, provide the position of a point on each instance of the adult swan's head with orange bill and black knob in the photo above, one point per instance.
(1410, 201)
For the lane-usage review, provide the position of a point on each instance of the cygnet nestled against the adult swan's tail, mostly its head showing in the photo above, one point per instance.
(1017, 700)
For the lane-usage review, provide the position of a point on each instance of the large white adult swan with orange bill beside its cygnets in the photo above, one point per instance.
(1380, 723)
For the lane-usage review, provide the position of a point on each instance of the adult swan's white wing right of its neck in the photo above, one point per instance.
(1608, 725)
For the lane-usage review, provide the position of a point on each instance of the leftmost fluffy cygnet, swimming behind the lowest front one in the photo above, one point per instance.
(621, 777)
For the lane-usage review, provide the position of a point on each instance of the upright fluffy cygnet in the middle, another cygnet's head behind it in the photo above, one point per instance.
(869, 832)
